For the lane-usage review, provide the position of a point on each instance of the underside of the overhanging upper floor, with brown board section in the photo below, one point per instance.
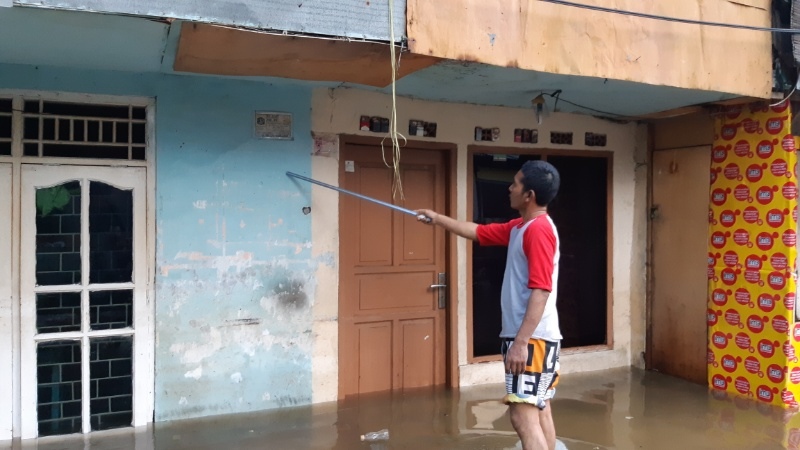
(106, 42)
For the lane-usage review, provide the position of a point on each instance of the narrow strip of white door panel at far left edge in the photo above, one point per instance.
(6, 340)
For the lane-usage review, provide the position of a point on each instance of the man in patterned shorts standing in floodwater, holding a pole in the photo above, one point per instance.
(530, 337)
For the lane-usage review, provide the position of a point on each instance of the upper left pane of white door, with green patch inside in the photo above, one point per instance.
(58, 234)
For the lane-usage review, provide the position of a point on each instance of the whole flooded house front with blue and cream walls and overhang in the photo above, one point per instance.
(161, 265)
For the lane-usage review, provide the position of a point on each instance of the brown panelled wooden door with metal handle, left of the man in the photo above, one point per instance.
(391, 328)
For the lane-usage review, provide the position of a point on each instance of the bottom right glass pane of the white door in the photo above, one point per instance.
(111, 376)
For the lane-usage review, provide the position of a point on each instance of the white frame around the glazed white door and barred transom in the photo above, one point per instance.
(12, 375)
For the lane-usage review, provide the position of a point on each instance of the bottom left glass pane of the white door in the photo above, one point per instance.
(58, 401)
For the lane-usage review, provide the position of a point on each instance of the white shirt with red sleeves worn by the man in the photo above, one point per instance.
(532, 263)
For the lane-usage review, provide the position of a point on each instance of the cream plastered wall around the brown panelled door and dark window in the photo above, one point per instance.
(337, 111)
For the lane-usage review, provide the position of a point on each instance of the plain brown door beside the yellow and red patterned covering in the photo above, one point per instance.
(680, 248)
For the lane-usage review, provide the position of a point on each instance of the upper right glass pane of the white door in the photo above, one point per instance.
(110, 234)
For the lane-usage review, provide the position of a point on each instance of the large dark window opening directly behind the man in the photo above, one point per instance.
(581, 214)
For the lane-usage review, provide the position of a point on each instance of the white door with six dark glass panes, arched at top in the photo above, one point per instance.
(85, 328)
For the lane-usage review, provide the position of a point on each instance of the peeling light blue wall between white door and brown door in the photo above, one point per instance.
(234, 272)
